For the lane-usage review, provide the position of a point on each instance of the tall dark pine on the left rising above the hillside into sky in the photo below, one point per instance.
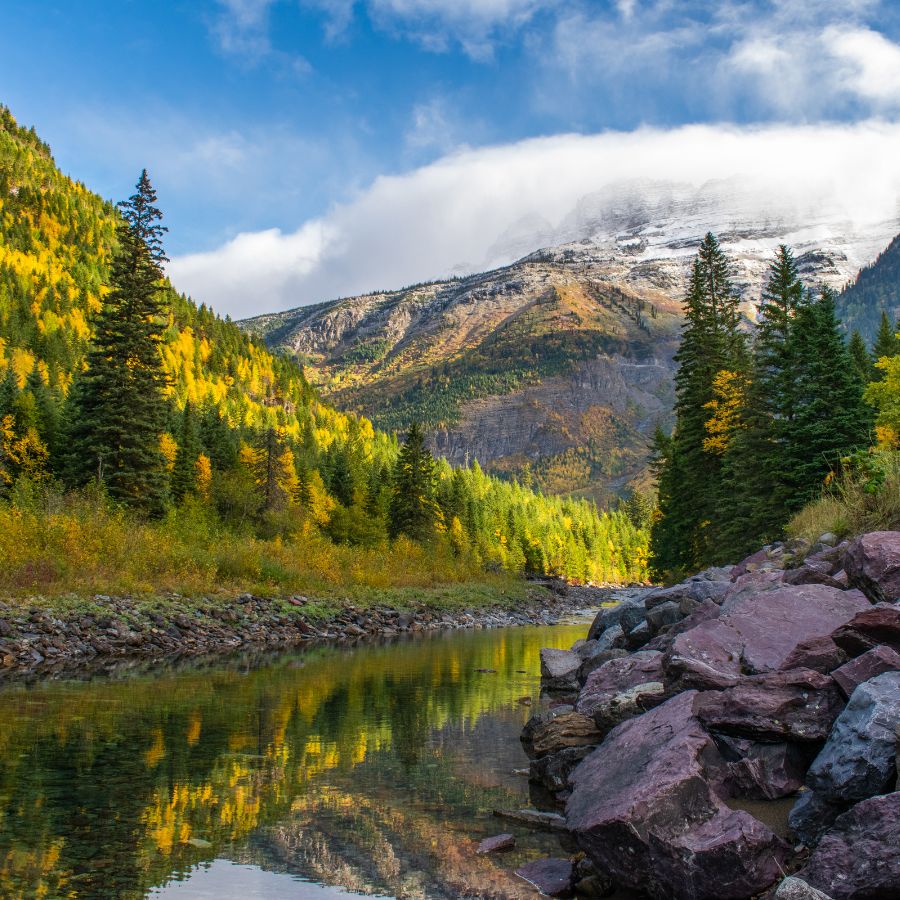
(119, 407)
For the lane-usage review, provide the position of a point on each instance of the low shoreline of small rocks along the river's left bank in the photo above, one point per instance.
(38, 641)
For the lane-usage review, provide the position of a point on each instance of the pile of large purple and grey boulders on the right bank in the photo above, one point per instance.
(777, 678)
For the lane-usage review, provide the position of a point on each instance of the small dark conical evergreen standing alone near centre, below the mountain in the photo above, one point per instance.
(413, 511)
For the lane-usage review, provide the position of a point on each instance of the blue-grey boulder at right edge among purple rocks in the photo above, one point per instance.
(858, 760)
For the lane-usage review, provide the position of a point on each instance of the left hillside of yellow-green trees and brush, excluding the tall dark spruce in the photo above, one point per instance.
(265, 486)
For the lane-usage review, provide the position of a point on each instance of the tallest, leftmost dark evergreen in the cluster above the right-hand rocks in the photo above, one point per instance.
(689, 472)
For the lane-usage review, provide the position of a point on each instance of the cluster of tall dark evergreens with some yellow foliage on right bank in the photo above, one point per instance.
(769, 419)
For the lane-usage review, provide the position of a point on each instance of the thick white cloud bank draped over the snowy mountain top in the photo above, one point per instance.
(440, 218)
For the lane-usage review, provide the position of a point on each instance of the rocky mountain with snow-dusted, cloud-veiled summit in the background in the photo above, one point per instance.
(559, 366)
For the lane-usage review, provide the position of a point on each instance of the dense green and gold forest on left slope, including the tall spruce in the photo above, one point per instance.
(123, 401)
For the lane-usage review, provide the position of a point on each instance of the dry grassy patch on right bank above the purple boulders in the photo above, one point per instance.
(865, 498)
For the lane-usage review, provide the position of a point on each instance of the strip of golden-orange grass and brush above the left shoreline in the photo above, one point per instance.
(67, 550)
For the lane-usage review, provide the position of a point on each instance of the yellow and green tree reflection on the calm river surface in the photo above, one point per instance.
(108, 787)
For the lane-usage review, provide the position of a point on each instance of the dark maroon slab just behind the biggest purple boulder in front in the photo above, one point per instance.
(798, 705)
